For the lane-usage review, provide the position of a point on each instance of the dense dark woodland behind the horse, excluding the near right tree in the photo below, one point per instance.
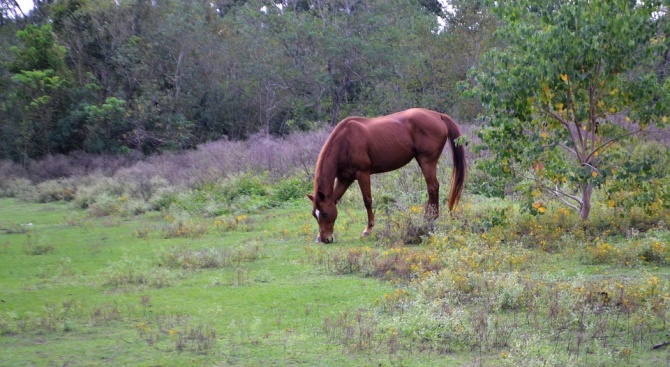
(104, 76)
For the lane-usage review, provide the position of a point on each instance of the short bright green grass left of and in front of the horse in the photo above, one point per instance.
(59, 308)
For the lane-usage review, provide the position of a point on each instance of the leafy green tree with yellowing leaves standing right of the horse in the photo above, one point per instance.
(566, 69)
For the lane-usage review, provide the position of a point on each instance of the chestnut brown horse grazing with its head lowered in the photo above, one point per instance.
(359, 147)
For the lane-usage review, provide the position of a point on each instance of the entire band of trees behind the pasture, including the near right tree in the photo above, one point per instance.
(564, 85)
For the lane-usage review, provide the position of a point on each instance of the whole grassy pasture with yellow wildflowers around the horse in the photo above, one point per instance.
(225, 273)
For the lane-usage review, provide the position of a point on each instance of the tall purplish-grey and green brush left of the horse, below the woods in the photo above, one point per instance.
(215, 178)
